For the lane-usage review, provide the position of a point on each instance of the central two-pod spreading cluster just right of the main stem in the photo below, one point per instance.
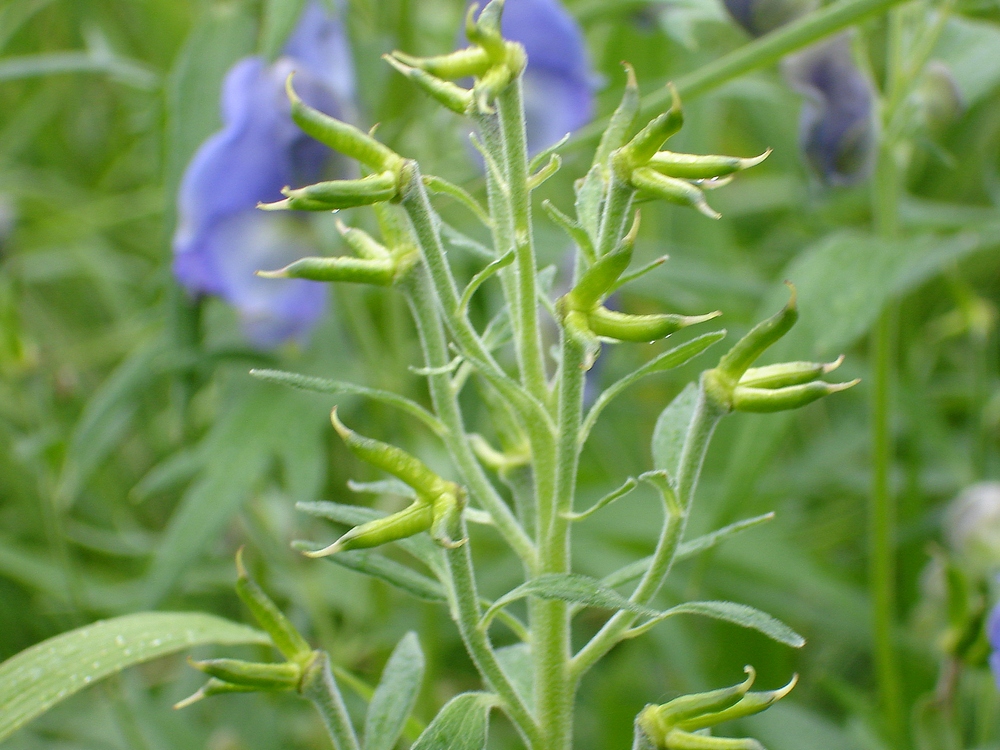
(588, 320)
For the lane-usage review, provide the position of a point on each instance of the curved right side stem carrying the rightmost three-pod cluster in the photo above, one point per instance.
(703, 423)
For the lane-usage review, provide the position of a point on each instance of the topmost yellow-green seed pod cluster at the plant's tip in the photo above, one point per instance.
(490, 60)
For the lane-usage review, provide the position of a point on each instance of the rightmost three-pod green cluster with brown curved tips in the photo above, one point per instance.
(736, 386)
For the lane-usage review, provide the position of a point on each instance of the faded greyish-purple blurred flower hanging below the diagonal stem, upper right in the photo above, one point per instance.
(837, 129)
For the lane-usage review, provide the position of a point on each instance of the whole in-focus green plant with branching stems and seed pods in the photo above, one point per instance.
(538, 409)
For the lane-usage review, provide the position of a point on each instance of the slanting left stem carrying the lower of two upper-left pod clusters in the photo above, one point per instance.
(420, 297)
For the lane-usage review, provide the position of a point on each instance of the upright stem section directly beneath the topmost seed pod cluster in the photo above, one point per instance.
(511, 110)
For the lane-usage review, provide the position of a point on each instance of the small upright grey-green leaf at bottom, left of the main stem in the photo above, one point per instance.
(395, 695)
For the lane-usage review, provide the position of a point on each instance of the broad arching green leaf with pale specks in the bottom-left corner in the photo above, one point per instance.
(34, 680)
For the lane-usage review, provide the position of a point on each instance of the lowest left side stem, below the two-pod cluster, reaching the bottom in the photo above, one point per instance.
(464, 601)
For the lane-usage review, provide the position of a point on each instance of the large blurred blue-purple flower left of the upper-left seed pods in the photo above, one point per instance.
(221, 237)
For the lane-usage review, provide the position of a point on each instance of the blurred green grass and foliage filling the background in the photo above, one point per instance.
(136, 454)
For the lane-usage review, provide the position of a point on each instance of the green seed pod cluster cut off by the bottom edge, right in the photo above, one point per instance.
(680, 724)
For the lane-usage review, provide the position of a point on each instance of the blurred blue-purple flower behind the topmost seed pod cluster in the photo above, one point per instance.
(559, 81)
